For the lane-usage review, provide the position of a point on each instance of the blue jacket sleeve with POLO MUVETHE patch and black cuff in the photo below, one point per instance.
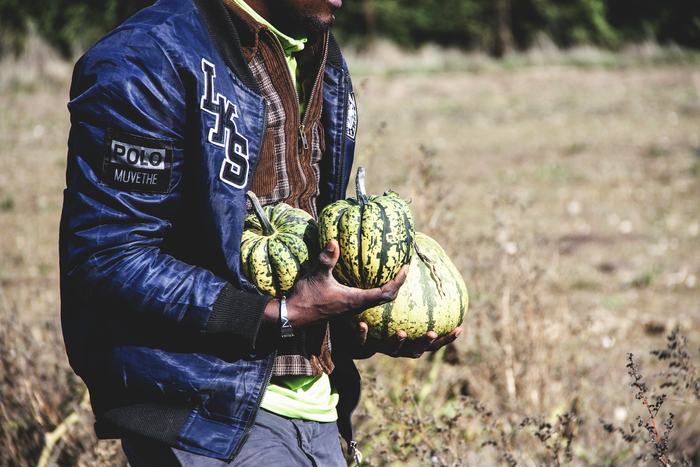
(128, 106)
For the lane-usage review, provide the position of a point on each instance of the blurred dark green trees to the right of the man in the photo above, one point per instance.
(502, 26)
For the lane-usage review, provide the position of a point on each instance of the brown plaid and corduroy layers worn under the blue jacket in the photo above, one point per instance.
(289, 171)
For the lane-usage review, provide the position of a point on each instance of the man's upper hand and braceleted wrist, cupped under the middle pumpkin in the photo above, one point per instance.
(318, 296)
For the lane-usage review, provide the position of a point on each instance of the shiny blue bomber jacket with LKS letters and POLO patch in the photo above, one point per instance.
(167, 128)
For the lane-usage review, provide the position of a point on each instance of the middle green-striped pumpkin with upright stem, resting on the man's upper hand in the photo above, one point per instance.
(375, 235)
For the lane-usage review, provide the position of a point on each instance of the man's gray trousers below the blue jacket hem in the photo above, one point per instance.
(273, 442)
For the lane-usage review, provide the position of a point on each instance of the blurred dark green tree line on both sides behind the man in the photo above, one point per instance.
(496, 26)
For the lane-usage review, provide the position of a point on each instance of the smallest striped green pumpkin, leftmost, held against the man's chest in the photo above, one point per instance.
(279, 245)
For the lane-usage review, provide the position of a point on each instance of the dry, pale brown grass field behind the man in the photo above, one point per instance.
(567, 194)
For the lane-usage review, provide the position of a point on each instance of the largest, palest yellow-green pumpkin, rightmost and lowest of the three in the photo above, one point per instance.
(433, 298)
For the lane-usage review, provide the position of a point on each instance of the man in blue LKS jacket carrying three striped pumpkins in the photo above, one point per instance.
(175, 115)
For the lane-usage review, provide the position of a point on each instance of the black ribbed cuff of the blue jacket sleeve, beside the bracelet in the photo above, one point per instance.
(238, 313)
